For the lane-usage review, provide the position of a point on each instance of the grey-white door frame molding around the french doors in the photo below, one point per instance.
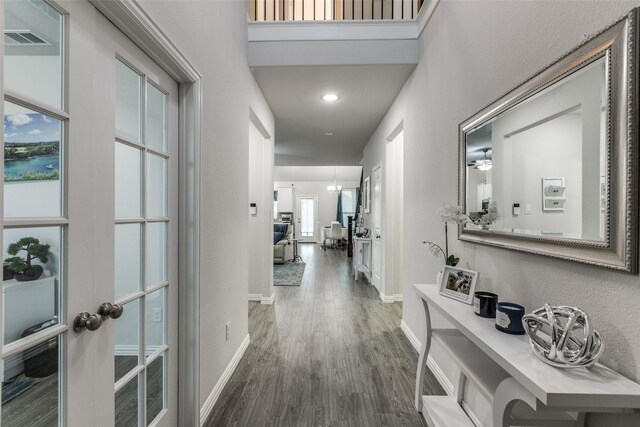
(130, 18)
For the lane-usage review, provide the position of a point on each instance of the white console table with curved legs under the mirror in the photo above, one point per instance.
(505, 370)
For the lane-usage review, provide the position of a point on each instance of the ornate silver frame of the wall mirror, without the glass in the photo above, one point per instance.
(619, 250)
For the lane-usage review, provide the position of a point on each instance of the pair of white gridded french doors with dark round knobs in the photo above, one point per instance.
(90, 172)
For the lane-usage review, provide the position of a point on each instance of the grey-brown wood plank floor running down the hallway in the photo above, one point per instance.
(327, 353)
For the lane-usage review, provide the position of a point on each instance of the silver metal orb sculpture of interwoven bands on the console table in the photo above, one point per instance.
(562, 336)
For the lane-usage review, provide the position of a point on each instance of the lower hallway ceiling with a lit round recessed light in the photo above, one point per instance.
(303, 119)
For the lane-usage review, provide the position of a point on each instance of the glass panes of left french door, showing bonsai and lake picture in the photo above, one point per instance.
(35, 219)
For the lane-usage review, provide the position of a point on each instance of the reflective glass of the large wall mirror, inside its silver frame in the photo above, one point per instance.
(539, 167)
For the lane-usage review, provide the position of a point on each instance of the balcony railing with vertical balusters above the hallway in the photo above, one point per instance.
(334, 10)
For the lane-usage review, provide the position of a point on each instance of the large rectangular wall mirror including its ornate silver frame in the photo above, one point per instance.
(551, 167)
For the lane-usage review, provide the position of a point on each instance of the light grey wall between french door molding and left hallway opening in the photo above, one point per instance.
(213, 35)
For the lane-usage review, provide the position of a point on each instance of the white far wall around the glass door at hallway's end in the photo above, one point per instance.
(327, 202)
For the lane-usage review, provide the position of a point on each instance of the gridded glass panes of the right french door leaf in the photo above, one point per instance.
(141, 247)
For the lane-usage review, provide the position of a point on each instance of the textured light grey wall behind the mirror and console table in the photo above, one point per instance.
(471, 53)
